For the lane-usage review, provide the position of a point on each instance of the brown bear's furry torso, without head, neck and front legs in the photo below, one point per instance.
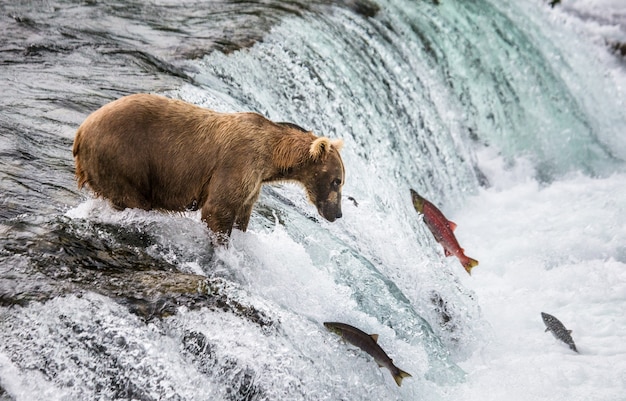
(164, 151)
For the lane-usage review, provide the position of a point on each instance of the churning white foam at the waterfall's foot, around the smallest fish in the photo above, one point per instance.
(559, 249)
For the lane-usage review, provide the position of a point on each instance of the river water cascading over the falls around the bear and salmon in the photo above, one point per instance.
(510, 116)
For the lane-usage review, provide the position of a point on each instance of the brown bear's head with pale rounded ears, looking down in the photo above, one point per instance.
(323, 177)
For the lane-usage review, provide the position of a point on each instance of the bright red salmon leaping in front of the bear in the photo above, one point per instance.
(443, 230)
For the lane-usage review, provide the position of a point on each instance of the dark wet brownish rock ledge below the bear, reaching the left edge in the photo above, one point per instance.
(112, 261)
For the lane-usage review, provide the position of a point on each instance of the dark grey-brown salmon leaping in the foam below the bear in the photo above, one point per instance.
(369, 344)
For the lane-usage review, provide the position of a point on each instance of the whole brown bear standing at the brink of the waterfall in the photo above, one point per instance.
(151, 152)
